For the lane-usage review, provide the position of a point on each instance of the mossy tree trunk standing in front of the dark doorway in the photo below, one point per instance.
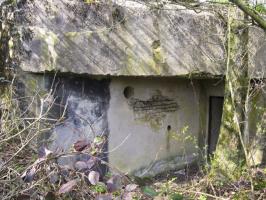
(231, 153)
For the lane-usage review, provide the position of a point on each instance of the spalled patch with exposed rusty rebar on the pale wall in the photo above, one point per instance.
(152, 110)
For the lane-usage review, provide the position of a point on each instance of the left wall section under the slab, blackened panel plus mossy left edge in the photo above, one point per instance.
(78, 105)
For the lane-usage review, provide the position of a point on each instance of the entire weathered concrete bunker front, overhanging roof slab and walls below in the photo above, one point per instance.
(149, 77)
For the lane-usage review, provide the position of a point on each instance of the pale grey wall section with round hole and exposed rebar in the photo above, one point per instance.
(163, 135)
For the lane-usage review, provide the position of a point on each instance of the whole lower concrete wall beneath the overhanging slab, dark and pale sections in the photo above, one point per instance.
(152, 124)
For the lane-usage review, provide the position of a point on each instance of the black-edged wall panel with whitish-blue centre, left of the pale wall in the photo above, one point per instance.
(86, 101)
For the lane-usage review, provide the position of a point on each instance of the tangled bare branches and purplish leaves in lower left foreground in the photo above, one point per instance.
(28, 170)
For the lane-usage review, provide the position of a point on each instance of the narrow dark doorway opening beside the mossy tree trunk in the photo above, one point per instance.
(215, 117)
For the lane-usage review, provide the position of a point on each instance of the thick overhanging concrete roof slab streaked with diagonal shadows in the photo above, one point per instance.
(122, 38)
